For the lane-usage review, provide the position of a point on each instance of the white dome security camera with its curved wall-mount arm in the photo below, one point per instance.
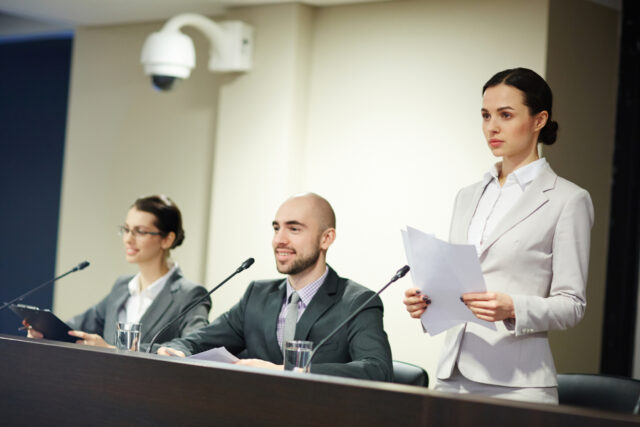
(168, 55)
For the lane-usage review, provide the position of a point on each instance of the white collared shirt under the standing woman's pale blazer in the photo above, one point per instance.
(496, 201)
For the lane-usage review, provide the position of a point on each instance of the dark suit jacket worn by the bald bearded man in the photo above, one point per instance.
(248, 329)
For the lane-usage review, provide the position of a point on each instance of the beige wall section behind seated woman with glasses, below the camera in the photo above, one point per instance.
(125, 140)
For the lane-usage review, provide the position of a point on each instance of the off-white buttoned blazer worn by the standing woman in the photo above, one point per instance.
(539, 255)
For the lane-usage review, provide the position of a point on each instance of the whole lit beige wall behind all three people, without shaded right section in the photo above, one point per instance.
(375, 106)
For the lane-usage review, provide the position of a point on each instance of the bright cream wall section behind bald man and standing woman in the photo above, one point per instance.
(392, 132)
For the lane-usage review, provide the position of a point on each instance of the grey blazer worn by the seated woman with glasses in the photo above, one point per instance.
(176, 295)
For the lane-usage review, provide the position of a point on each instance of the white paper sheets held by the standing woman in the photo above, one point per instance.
(444, 272)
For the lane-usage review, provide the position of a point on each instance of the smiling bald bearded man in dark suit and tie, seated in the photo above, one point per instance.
(253, 329)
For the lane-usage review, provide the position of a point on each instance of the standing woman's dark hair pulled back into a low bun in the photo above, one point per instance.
(537, 96)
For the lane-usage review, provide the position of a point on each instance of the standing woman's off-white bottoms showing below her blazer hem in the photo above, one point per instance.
(457, 383)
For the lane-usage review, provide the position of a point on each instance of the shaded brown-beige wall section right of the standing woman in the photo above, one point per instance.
(582, 70)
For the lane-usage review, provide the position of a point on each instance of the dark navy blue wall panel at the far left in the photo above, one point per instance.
(34, 87)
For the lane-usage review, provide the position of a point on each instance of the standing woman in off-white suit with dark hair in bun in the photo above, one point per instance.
(531, 230)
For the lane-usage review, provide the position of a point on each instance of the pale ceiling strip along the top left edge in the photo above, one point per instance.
(72, 13)
